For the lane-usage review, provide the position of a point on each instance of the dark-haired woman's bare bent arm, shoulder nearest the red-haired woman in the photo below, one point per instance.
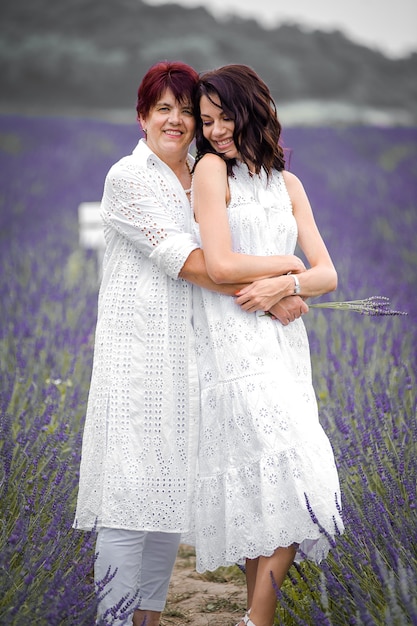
(210, 189)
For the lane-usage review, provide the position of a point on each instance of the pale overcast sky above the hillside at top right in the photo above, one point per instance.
(388, 25)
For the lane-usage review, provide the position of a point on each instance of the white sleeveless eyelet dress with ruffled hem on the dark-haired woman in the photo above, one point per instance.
(266, 471)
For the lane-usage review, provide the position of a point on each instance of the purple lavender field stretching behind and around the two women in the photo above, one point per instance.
(363, 186)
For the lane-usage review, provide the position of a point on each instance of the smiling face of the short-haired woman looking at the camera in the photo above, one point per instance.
(170, 127)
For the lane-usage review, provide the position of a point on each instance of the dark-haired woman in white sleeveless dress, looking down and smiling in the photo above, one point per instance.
(267, 486)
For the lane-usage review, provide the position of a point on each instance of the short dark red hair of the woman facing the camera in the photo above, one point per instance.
(181, 78)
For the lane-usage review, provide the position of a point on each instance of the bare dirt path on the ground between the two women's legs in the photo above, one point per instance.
(213, 599)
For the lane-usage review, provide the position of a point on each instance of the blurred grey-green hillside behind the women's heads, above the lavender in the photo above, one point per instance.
(88, 56)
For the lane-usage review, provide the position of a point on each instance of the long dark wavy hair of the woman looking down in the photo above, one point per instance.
(247, 100)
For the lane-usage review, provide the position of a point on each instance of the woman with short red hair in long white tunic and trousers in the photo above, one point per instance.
(140, 435)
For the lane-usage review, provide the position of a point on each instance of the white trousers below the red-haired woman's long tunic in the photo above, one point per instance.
(142, 564)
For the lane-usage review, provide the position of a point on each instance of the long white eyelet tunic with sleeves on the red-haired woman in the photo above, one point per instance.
(140, 436)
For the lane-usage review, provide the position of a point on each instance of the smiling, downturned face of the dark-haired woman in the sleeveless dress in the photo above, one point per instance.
(218, 127)
